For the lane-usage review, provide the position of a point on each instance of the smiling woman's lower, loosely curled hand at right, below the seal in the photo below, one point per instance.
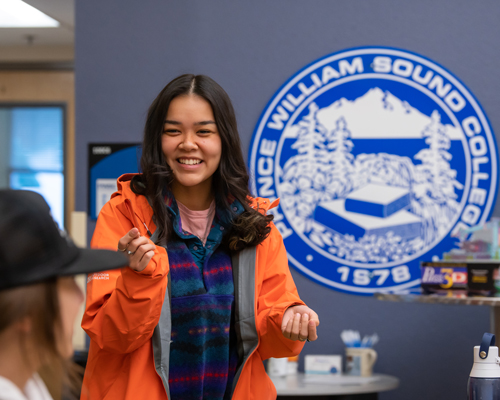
(299, 323)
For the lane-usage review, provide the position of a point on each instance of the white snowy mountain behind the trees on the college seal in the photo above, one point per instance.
(377, 115)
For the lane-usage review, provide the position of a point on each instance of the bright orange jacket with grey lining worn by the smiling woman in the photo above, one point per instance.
(124, 307)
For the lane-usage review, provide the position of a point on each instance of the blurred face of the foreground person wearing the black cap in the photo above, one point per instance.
(70, 299)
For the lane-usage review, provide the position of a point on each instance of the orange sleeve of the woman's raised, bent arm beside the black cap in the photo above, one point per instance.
(123, 306)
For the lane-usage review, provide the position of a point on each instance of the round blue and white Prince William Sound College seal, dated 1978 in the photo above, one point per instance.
(379, 157)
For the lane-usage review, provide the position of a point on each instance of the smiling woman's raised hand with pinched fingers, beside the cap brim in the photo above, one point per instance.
(137, 248)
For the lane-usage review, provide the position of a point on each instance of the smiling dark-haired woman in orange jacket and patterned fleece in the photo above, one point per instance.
(209, 290)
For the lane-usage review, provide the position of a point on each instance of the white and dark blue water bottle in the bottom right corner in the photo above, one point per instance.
(484, 379)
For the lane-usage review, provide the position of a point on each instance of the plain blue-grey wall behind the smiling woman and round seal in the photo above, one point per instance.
(126, 51)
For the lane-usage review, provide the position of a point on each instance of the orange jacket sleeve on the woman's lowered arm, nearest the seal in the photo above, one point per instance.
(277, 292)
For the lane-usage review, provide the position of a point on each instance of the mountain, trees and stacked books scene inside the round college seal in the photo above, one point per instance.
(370, 207)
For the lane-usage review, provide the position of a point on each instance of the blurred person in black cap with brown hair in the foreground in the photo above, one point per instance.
(39, 298)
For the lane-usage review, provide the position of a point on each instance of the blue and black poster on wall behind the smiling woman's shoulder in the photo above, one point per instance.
(107, 161)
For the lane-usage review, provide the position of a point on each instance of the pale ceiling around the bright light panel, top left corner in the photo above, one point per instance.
(61, 10)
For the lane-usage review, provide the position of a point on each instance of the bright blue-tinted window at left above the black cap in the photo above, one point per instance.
(32, 152)
